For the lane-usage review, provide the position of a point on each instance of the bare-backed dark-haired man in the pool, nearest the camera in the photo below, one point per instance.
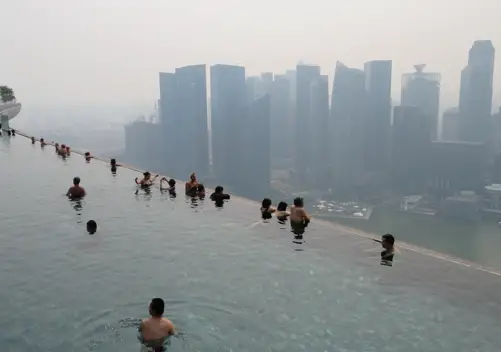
(154, 330)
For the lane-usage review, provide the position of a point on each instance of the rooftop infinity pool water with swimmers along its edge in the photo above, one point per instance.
(230, 283)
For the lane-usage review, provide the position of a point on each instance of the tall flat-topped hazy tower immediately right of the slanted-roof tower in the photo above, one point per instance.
(378, 119)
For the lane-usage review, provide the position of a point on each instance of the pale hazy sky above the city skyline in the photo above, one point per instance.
(109, 52)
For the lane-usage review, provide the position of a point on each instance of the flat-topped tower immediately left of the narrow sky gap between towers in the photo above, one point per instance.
(191, 128)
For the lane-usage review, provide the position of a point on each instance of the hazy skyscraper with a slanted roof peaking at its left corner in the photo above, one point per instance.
(348, 107)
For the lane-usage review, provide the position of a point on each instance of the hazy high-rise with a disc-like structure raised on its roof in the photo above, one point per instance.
(422, 90)
